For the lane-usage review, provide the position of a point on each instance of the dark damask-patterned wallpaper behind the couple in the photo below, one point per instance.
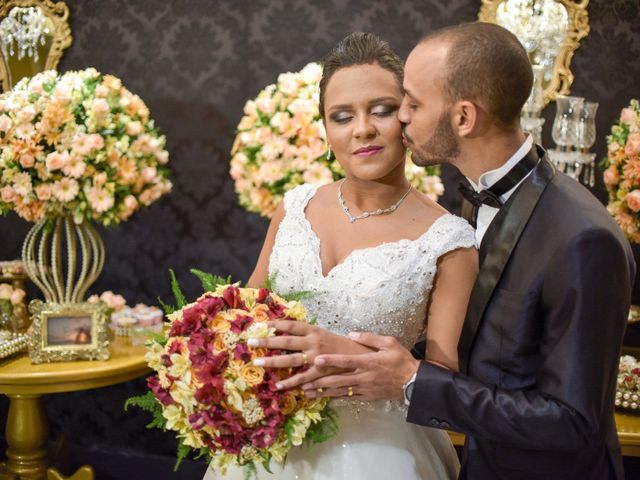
(195, 63)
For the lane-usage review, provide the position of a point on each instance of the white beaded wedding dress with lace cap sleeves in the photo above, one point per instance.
(382, 289)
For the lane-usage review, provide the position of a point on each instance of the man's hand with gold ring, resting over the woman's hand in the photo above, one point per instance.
(379, 374)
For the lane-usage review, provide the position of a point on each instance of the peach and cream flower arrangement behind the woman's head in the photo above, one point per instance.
(281, 143)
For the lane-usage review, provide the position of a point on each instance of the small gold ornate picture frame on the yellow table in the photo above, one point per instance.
(62, 332)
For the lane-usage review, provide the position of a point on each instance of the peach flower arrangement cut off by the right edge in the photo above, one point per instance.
(622, 171)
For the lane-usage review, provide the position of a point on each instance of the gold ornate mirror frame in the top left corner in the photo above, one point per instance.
(58, 14)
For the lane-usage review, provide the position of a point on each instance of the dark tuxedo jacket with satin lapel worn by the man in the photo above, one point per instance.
(541, 341)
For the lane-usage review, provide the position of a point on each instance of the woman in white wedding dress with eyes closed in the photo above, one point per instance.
(378, 256)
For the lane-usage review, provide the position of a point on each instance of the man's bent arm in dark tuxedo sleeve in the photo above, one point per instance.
(584, 303)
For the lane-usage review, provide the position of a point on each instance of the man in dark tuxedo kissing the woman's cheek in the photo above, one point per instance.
(540, 345)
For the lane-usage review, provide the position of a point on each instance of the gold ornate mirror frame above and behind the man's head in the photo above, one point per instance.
(578, 27)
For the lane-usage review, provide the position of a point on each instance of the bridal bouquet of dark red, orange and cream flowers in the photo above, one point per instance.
(207, 389)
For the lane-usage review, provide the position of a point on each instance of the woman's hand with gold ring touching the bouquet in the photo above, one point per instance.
(308, 341)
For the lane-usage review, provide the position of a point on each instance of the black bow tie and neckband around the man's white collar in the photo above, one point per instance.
(491, 196)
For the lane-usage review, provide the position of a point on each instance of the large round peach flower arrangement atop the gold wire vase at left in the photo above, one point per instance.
(78, 144)
